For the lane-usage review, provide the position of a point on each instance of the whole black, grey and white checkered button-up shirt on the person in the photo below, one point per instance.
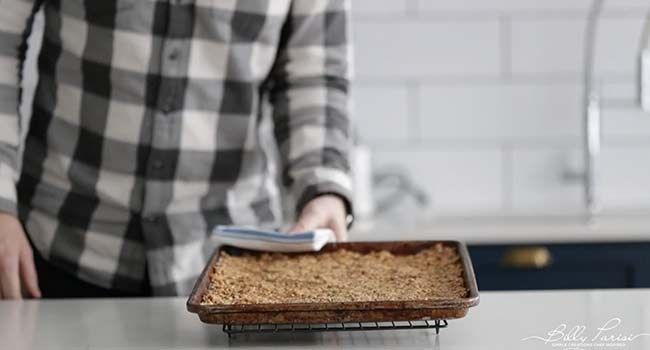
(149, 127)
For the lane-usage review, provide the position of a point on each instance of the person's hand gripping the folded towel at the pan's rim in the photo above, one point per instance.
(326, 211)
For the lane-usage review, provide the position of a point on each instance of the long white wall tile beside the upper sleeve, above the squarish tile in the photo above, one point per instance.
(417, 49)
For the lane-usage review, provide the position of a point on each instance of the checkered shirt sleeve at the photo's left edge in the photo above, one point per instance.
(16, 18)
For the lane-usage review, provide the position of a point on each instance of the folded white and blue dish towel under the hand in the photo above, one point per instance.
(272, 241)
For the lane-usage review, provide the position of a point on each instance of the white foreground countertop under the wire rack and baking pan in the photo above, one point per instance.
(500, 322)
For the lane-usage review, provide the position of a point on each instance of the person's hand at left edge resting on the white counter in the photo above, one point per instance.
(16, 260)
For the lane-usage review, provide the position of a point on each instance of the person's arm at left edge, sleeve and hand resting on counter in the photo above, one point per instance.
(16, 259)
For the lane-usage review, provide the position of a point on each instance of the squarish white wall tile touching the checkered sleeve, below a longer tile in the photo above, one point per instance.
(381, 113)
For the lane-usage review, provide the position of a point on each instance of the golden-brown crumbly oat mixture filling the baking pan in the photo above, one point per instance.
(340, 276)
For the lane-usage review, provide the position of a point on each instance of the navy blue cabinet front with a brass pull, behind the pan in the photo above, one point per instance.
(571, 266)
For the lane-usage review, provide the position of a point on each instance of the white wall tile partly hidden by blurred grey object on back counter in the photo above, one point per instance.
(454, 180)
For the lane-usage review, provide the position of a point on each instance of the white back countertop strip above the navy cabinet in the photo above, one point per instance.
(510, 229)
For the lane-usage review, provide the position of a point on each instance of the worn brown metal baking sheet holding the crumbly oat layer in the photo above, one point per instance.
(372, 311)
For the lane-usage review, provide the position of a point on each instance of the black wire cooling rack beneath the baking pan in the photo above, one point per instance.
(232, 329)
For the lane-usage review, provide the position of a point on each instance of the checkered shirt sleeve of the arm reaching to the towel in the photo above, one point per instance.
(309, 95)
